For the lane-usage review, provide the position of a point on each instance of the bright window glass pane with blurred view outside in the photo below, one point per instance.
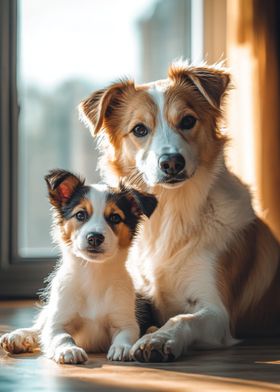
(67, 49)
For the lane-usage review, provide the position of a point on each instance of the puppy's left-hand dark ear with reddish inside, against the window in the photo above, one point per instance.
(61, 186)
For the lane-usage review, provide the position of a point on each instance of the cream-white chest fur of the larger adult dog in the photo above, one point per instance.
(178, 267)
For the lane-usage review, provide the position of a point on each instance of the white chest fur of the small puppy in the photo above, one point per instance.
(95, 297)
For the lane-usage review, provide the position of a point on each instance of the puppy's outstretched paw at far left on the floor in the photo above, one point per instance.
(19, 341)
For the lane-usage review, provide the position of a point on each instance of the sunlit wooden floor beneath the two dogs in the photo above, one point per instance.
(253, 366)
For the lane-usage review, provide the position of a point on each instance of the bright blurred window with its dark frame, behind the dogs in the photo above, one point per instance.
(53, 55)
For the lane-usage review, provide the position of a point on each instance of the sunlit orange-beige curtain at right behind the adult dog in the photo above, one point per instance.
(253, 51)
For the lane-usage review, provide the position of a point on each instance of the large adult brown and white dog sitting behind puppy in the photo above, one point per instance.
(207, 263)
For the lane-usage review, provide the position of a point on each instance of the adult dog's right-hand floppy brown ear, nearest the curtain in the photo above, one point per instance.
(211, 81)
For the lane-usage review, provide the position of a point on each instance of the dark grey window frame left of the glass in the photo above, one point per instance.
(19, 277)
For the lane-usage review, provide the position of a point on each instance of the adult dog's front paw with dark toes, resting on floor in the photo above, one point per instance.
(156, 347)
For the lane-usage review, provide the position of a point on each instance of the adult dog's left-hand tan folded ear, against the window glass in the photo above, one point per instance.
(100, 106)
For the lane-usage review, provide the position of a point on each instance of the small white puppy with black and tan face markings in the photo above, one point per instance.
(90, 301)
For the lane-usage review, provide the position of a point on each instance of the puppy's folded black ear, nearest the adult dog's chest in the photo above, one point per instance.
(142, 203)
